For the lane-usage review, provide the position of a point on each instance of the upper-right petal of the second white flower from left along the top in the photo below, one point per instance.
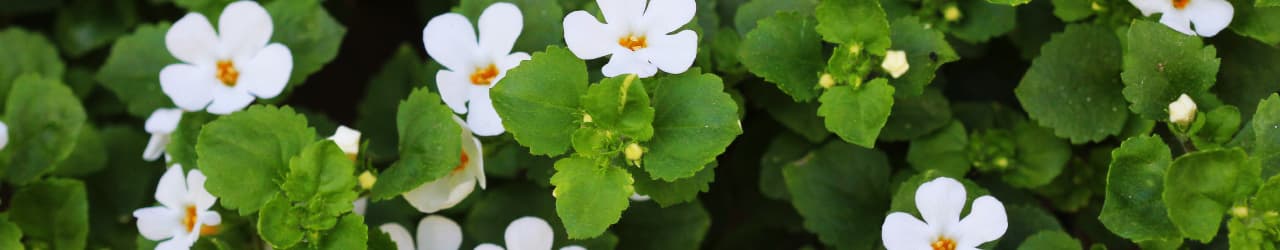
(500, 26)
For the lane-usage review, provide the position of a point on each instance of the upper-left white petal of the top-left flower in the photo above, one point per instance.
(193, 40)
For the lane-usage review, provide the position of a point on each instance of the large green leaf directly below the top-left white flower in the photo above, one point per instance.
(246, 154)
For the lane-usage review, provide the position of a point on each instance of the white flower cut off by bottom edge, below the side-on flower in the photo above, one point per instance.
(435, 233)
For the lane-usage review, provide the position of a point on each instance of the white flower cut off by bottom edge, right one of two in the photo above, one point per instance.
(528, 234)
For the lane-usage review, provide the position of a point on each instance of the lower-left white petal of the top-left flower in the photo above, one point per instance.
(189, 87)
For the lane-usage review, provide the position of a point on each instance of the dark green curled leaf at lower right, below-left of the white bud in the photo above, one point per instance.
(1133, 208)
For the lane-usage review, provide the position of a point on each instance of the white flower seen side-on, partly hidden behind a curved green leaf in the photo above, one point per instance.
(450, 190)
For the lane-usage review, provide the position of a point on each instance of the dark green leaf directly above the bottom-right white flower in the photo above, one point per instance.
(945, 151)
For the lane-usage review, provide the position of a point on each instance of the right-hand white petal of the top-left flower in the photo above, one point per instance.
(267, 75)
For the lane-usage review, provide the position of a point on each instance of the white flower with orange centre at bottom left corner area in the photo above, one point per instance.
(184, 213)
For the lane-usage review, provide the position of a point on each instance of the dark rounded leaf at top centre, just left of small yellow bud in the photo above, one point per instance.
(787, 52)
